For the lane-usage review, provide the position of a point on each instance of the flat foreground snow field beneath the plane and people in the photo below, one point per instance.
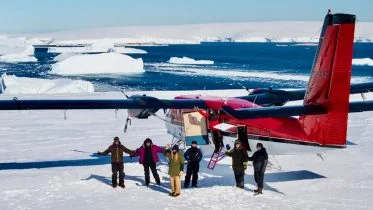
(56, 167)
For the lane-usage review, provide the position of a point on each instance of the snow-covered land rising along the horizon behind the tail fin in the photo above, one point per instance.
(270, 31)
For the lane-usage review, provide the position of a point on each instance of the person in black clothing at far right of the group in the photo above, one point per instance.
(260, 160)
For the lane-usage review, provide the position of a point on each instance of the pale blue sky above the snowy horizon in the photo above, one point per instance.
(28, 16)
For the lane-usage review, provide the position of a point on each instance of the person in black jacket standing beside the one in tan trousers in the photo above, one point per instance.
(193, 156)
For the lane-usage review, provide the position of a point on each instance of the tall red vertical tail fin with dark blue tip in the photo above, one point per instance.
(329, 84)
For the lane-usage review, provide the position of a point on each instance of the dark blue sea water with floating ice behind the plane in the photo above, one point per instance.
(252, 65)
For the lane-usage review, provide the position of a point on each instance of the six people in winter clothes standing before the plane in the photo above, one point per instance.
(148, 154)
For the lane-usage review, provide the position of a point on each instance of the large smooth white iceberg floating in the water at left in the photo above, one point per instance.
(98, 63)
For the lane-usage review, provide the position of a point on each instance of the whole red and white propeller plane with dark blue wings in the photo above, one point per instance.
(259, 116)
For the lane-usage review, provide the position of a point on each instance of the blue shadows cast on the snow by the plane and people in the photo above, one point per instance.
(219, 176)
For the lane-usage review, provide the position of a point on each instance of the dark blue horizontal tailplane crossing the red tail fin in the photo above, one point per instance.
(288, 111)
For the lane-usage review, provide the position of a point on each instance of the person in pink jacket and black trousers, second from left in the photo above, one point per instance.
(148, 153)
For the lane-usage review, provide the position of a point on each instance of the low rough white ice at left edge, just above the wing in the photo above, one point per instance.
(11, 84)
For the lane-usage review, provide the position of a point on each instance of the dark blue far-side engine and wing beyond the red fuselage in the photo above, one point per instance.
(268, 96)
